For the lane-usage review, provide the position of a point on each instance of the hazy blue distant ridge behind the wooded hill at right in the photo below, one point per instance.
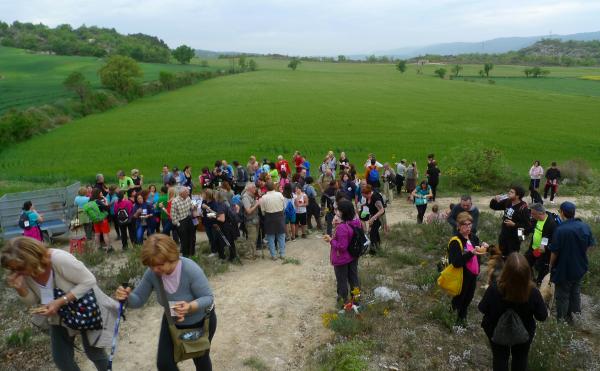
(494, 46)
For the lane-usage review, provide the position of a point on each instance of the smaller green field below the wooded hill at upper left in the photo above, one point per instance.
(32, 79)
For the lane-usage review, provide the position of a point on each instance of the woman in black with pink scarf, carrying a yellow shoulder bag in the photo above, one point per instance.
(463, 252)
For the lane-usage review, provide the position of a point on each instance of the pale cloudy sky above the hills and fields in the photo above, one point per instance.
(314, 27)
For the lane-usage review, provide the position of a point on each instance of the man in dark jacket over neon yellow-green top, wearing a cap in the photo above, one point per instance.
(542, 227)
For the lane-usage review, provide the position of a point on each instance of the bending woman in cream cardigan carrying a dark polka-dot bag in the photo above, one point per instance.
(36, 271)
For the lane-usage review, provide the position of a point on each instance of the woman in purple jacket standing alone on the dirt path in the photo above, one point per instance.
(345, 265)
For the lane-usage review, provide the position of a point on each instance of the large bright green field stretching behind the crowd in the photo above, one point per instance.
(358, 108)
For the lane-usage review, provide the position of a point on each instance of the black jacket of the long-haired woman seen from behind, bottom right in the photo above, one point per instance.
(493, 306)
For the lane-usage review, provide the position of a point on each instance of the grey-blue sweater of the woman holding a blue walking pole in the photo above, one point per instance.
(193, 286)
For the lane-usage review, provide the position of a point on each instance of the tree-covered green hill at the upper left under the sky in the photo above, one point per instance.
(83, 41)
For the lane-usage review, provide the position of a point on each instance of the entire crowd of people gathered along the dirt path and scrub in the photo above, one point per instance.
(264, 205)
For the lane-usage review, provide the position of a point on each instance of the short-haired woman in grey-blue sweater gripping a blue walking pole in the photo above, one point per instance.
(187, 290)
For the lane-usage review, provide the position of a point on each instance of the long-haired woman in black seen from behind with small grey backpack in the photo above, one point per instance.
(516, 291)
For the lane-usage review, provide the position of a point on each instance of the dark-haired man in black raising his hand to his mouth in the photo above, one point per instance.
(515, 220)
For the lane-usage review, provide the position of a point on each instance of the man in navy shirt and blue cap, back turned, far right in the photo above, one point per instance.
(569, 261)
